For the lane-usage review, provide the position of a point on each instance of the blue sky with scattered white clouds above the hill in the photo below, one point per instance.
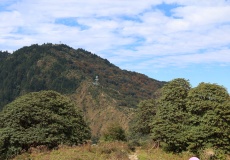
(163, 39)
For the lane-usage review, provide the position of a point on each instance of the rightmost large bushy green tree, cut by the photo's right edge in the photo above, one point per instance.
(209, 109)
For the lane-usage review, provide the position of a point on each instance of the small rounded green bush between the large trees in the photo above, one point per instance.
(114, 132)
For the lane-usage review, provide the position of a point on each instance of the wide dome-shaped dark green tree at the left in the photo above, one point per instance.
(40, 118)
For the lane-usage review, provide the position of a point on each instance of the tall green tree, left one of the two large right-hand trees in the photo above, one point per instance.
(169, 123)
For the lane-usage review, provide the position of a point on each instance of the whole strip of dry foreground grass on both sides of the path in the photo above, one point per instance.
(102, 151)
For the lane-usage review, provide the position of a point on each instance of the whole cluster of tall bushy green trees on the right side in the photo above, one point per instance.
(187, 119)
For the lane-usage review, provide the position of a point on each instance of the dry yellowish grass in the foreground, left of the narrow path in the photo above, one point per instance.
(102, 151)
